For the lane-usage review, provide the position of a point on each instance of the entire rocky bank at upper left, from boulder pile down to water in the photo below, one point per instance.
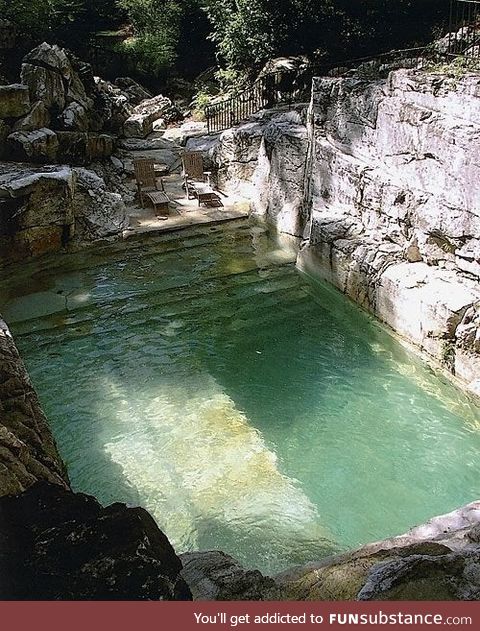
(60, 114)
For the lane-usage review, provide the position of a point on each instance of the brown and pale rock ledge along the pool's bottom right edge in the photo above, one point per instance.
(439, 560)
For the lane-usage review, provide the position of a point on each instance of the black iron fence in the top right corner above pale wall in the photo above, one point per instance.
(464, 28)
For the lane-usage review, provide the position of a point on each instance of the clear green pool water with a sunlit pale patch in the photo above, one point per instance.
(248, 408)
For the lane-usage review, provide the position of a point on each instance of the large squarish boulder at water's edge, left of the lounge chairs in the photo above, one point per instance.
(45, 208)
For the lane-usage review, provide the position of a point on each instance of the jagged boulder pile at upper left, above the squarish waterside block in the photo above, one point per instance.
(60, 113)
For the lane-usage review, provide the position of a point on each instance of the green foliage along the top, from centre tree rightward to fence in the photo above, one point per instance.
(248, 32)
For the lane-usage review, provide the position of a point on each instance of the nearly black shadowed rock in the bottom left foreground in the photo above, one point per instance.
(59, 545)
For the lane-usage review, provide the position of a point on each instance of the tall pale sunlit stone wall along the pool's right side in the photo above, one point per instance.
(379, 181)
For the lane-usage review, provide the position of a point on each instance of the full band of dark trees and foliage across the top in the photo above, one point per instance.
(239, 35)
